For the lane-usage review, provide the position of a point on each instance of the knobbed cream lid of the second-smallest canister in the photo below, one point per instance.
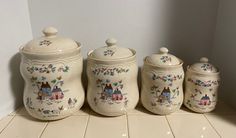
(163, 58)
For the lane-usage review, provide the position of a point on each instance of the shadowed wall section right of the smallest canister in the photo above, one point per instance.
(224, 50)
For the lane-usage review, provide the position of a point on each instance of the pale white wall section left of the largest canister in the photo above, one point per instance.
(15, 30)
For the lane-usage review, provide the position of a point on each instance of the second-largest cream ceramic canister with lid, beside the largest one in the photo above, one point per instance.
(112, 79)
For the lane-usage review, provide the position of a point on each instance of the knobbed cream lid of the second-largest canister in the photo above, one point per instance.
(111, 51)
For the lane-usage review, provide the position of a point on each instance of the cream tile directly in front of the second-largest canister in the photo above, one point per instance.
(106, 127)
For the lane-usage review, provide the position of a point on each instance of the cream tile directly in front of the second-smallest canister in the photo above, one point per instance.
(151, 126)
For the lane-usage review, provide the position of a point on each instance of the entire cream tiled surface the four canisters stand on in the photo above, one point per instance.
(138, 123)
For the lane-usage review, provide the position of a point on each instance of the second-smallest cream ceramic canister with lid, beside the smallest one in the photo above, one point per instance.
(162, 79)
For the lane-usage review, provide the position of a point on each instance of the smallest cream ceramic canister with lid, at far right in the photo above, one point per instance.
(202, 81)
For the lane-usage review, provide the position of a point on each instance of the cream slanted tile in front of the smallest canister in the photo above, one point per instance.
(191, 126)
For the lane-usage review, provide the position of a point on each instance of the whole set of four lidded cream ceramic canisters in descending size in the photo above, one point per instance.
(52, 67)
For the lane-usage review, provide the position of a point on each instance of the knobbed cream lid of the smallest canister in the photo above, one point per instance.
(204, 66)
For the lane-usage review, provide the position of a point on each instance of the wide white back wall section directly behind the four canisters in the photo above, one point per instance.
(185, 26)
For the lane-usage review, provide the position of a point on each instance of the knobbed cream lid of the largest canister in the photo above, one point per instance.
(50, 43)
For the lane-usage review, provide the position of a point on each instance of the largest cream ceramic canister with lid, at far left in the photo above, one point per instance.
(51, 67)
